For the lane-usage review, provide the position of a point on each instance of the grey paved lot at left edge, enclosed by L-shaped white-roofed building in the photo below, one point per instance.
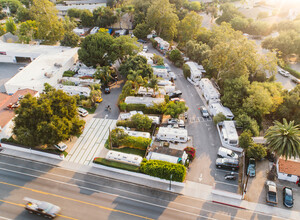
(7, 71)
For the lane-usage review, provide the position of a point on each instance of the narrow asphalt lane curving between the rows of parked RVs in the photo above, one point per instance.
(205, 137)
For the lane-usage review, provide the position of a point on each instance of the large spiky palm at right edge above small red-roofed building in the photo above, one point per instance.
(284, 139)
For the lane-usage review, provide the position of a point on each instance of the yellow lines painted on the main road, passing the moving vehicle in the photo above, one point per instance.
(67, 198)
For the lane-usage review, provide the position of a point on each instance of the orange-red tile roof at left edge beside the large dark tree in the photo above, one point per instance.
(5, 114)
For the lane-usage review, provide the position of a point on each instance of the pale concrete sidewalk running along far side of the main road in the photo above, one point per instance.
(189, 188)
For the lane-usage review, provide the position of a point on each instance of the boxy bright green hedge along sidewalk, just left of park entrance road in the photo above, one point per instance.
(163, 170)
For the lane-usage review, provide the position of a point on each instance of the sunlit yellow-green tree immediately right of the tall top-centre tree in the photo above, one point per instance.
(189, 27)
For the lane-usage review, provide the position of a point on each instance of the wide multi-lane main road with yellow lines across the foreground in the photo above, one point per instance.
(85, 196)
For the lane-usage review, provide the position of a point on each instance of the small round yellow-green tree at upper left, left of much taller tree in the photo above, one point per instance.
(27, 31)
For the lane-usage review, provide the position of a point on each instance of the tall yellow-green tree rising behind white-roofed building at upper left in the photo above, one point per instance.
(50, 28)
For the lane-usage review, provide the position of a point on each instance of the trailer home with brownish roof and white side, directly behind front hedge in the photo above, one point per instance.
(167, 154)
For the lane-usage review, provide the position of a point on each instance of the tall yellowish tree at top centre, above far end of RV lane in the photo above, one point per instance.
(162, 18)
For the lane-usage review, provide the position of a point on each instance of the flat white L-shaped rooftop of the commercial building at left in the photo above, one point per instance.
(47, 67)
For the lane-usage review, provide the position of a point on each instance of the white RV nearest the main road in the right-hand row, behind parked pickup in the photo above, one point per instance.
(229, 134)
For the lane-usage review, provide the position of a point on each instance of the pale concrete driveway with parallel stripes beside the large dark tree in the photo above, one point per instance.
(91, 141)
